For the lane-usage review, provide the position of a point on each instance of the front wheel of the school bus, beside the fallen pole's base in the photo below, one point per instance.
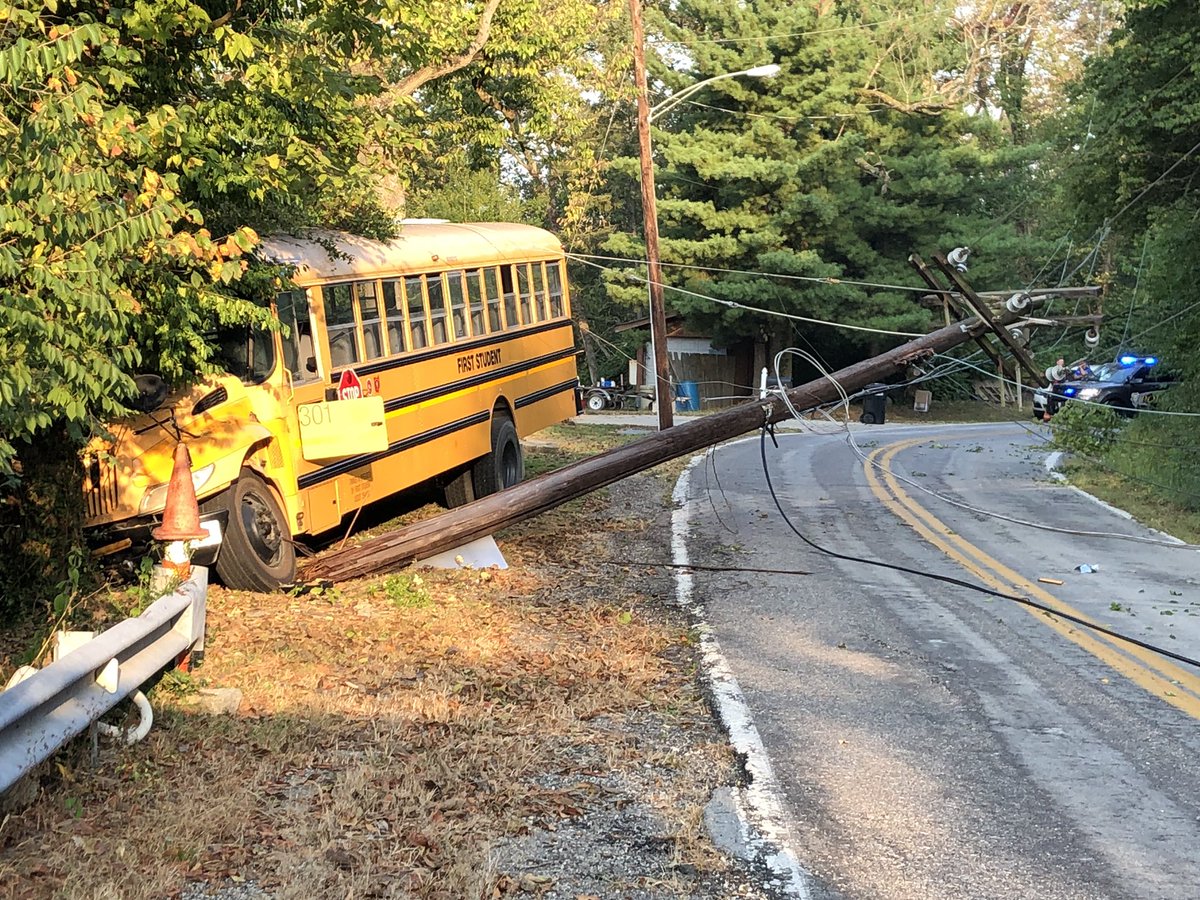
(256, 553)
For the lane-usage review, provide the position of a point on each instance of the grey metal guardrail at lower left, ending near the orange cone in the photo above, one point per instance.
(44, 712)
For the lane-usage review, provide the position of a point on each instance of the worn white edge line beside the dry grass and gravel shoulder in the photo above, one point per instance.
(760, 808)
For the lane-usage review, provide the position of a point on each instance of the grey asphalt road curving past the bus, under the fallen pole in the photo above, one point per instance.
(932, 742)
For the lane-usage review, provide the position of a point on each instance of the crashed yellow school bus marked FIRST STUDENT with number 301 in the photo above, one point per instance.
(429, 357)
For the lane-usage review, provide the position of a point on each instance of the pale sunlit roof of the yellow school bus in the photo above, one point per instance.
(421, 247)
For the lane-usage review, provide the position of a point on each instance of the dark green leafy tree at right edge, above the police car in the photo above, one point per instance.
(1131, 160)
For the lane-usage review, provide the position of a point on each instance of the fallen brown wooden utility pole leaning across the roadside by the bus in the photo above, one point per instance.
(457, 527)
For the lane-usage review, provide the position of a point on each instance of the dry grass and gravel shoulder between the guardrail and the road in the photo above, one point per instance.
(537, 731)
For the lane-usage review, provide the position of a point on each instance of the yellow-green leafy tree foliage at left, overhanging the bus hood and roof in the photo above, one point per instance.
(149, 145)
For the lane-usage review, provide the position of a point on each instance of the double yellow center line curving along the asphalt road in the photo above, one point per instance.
(1147, 669)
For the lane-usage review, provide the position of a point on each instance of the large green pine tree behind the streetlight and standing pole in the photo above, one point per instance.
(860, 153)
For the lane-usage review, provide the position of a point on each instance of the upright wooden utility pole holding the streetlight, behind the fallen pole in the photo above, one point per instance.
(663, 399)
